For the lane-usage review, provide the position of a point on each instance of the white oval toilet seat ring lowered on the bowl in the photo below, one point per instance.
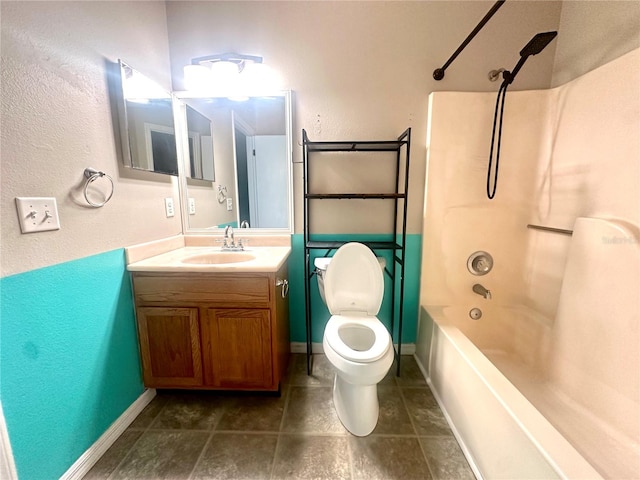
(380, 345)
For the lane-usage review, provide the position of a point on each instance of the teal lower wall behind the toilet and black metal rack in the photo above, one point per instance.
(320, 315)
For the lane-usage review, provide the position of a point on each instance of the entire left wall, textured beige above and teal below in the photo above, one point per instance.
(68, 353)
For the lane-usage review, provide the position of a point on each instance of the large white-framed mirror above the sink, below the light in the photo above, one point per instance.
(252, 147)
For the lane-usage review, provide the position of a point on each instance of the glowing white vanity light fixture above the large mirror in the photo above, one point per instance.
(231, 75)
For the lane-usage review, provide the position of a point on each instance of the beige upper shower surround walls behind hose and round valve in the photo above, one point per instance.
(567, 152)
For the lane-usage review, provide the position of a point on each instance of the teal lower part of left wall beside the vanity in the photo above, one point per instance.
(69, 359)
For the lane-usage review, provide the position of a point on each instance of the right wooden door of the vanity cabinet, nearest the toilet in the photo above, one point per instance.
(237, 348)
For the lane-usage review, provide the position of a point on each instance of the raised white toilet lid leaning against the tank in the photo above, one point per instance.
(354, 281)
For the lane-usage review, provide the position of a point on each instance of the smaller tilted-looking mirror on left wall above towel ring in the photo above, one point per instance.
(147, 130)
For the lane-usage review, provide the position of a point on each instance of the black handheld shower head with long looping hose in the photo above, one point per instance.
(535, 46)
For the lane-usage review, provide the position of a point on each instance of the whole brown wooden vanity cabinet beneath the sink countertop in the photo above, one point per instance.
(212, 330)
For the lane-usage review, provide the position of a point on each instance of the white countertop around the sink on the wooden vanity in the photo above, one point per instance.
(267, 259)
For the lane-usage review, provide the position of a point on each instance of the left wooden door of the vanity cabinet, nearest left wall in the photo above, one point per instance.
(170, 346)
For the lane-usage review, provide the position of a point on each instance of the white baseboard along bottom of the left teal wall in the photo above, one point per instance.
(89, 458)
